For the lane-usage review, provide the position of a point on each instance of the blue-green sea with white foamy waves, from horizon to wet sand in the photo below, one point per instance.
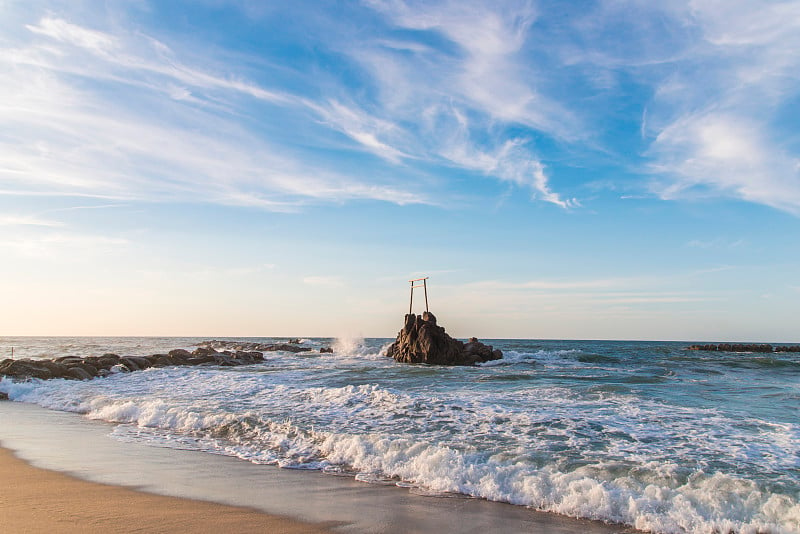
(645, 434)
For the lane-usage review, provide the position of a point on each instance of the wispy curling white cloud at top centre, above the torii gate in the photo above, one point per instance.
(452, 99)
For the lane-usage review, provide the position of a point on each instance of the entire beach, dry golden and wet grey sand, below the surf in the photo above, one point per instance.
(112, 485)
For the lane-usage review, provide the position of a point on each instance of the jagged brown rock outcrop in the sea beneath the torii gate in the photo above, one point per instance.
(423, 341)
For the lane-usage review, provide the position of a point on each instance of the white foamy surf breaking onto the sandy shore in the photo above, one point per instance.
(433, 443)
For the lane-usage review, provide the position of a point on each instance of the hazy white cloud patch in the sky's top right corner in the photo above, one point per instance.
(716, 128)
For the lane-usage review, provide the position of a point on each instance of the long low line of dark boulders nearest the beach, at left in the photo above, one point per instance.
(77, 368)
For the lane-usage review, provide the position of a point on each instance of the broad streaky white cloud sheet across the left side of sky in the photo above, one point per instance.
(97, 117)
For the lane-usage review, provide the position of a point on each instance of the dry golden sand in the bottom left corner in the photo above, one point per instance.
(37, 500)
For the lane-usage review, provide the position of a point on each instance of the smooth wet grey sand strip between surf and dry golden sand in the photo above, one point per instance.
(83, 451)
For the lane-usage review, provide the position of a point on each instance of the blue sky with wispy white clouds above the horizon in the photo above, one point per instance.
(560, 170)
